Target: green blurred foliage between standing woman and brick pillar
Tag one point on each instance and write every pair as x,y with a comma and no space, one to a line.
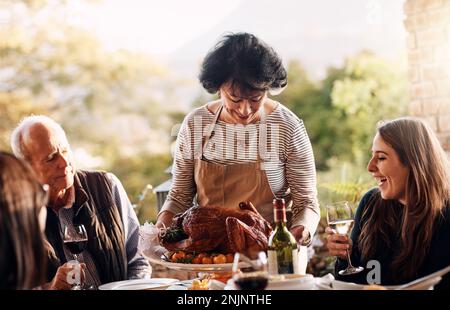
341,112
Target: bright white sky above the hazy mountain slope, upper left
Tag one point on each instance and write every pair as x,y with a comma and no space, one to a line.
149,26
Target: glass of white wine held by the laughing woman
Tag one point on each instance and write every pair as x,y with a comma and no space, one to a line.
340,218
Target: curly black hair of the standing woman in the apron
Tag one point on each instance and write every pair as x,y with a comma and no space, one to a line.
244,60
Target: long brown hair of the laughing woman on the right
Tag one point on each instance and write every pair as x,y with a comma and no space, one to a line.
427,194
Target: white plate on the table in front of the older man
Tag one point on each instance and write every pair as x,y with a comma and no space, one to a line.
139,284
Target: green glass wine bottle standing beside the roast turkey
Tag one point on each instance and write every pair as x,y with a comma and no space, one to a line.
283,251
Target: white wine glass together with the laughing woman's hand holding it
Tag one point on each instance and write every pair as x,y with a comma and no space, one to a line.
340,218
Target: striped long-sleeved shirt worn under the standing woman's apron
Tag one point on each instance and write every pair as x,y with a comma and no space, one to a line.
289,166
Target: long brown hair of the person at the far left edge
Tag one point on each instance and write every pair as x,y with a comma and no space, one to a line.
23,257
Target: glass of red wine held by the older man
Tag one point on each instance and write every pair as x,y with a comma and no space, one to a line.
75,239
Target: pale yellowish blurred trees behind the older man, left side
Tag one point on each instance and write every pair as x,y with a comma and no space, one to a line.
109,103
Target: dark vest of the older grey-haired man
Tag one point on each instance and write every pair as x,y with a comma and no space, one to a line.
94,207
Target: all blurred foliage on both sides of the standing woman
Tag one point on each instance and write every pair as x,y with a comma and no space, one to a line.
119,108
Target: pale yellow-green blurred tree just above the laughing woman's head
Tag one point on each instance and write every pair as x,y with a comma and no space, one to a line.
371,89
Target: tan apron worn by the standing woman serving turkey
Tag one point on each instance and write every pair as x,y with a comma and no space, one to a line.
227,185
